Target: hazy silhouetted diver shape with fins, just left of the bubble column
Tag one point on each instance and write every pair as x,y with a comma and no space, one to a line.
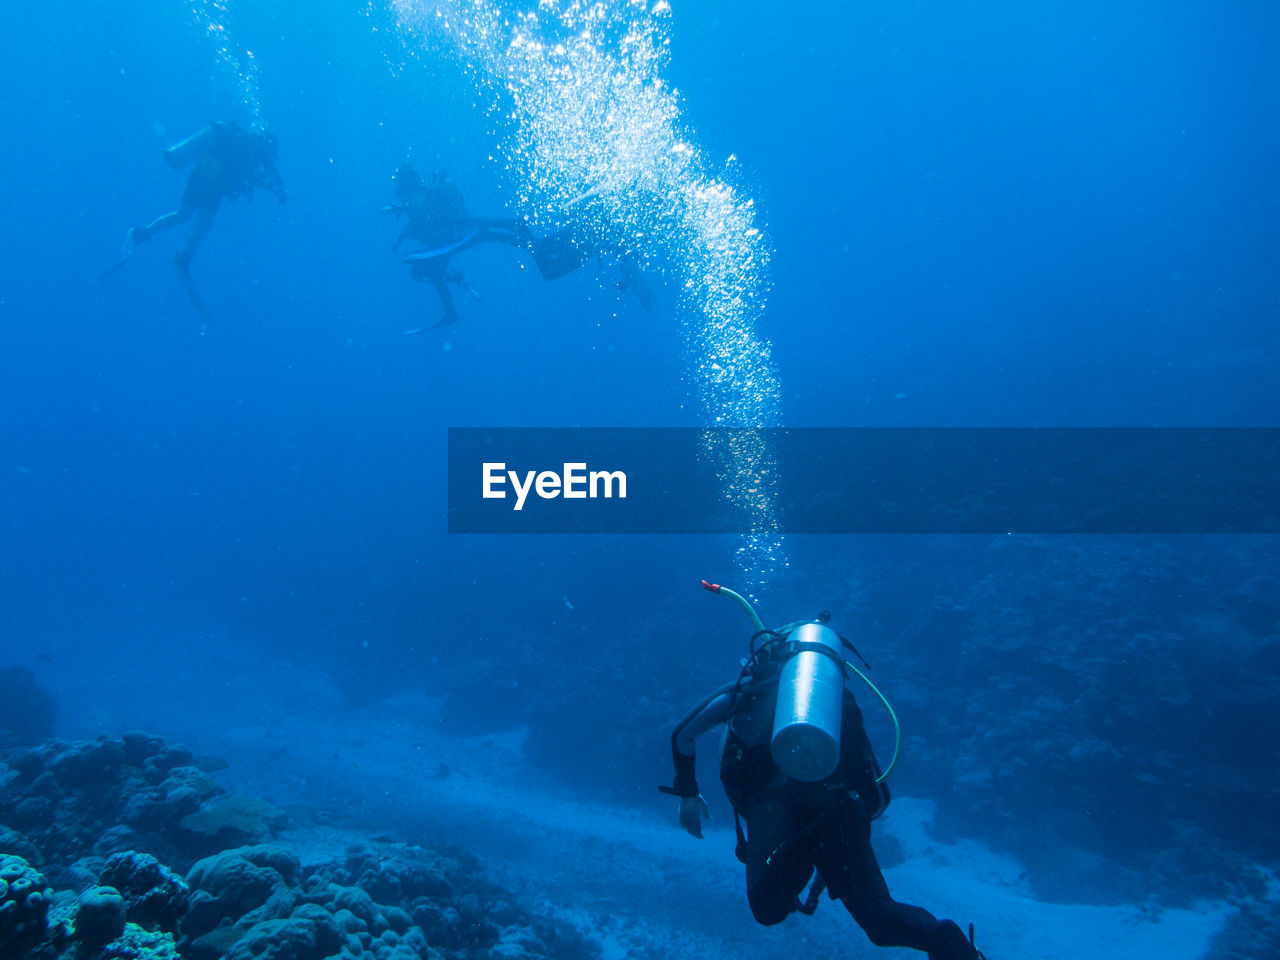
438,220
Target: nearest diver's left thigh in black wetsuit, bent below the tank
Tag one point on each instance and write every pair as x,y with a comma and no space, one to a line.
778,863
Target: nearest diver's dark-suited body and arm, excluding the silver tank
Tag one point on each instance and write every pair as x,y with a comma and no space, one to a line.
796,829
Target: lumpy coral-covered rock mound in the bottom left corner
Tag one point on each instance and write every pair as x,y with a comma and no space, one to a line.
129,849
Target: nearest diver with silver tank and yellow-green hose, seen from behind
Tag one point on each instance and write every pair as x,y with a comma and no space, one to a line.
799,770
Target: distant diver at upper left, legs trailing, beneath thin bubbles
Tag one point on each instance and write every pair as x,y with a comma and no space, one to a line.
228,162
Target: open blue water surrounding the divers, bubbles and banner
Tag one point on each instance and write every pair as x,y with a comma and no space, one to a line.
1060,214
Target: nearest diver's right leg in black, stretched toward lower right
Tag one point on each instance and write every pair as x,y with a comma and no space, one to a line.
848,863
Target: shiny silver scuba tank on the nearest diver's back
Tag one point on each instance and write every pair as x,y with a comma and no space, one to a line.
806,742
